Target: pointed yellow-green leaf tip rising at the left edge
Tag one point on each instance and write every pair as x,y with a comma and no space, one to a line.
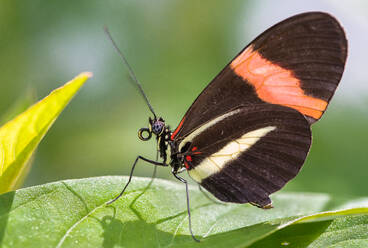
19,137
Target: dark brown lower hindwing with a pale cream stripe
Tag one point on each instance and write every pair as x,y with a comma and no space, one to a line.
248,153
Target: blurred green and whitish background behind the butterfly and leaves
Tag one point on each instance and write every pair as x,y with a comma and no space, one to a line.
175,47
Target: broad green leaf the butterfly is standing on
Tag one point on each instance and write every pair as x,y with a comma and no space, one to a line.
74,213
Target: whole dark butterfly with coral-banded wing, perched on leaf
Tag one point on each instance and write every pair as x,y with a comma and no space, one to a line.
248,133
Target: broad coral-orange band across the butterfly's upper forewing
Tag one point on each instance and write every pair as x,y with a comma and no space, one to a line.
275,84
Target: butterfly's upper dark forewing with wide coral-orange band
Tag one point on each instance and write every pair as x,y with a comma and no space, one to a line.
297,63
